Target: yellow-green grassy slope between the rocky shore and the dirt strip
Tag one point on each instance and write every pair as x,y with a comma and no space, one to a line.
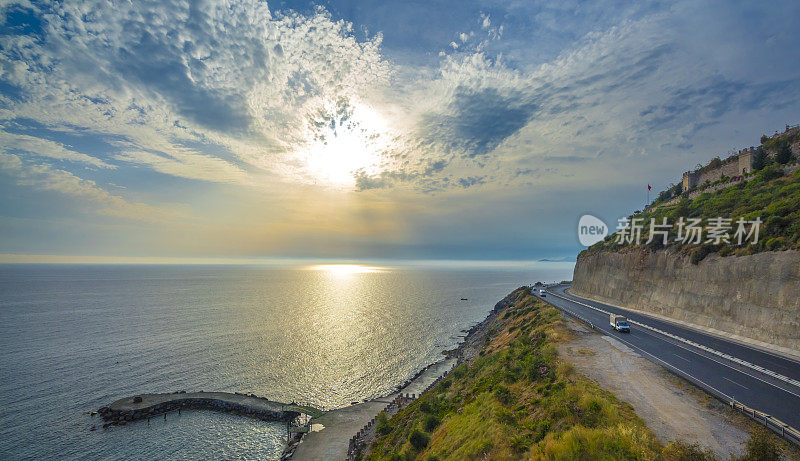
518,400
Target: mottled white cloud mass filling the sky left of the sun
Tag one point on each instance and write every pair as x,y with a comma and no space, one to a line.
161,74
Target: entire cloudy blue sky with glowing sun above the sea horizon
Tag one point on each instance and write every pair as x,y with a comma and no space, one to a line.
347,130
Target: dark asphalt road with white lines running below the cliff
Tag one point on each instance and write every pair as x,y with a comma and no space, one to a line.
754,389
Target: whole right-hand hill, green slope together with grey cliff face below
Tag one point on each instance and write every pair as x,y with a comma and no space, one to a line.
736,275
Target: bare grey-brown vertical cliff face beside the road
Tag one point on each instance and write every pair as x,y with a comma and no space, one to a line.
755,296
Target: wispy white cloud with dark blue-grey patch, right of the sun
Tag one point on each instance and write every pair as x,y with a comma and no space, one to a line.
641,89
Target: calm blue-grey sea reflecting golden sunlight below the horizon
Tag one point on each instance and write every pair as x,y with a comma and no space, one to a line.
77,337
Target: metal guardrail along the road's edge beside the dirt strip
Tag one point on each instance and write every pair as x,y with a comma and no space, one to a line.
787,432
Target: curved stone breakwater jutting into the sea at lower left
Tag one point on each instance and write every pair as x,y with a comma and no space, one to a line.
145,406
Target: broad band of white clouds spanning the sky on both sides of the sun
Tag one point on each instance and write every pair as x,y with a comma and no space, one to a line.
251,87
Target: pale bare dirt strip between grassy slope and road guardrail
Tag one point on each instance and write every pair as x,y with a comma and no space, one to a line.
670,407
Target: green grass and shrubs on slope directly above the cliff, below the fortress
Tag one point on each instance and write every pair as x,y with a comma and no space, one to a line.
770,196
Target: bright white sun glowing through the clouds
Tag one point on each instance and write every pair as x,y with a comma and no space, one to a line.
345,143
